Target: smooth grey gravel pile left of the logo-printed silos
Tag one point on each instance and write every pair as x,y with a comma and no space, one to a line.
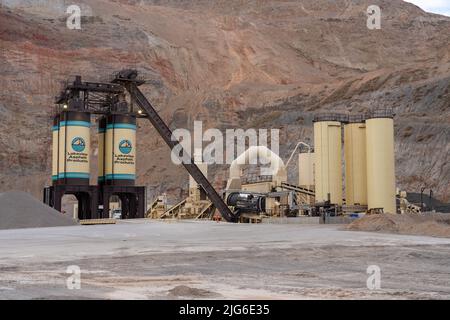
21,210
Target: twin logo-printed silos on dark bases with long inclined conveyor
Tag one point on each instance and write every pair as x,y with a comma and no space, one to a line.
117,148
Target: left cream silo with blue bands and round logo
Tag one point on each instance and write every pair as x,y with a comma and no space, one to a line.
74,148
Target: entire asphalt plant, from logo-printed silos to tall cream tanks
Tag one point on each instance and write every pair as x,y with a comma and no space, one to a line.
351,152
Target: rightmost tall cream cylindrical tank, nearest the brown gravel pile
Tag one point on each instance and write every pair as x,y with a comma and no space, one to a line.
380,161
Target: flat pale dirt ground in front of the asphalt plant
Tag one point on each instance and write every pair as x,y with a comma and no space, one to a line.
160,260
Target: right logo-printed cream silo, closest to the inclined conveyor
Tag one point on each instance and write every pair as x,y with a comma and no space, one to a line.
120,150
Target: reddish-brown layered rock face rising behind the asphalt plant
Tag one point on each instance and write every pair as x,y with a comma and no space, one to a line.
231,64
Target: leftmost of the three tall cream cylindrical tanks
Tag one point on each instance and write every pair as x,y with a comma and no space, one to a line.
328,158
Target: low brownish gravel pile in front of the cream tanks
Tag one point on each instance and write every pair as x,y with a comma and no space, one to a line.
436,225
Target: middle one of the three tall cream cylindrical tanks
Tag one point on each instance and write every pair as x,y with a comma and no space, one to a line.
355,161
